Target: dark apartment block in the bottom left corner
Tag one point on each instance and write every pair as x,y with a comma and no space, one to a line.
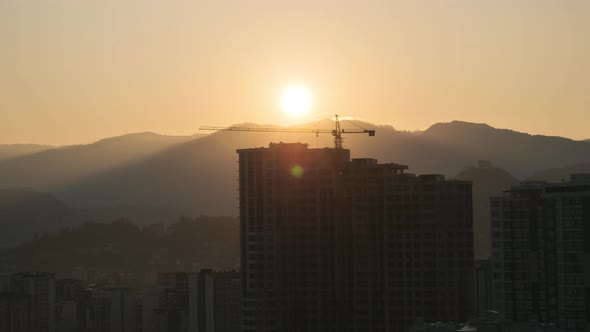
40,289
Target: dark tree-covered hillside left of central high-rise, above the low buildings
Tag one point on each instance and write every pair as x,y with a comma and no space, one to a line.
186,245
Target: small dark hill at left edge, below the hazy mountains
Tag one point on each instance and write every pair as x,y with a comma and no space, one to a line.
24,212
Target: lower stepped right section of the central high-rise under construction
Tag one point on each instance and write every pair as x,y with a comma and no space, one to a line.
412,246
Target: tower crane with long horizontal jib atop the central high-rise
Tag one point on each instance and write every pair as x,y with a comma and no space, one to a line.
336,132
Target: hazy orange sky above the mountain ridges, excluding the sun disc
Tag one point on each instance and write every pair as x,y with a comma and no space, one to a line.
79,70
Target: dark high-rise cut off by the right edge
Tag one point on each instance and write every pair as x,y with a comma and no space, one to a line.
541,251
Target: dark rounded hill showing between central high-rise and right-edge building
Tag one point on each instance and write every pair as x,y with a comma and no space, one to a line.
487,181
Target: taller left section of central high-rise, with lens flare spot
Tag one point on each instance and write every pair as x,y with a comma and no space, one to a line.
289,231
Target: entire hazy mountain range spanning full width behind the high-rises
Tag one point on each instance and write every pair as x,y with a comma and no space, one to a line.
197,174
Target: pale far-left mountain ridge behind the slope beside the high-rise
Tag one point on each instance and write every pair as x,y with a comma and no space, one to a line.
55,167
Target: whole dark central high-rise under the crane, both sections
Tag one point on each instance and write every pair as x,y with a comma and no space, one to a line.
333,244
